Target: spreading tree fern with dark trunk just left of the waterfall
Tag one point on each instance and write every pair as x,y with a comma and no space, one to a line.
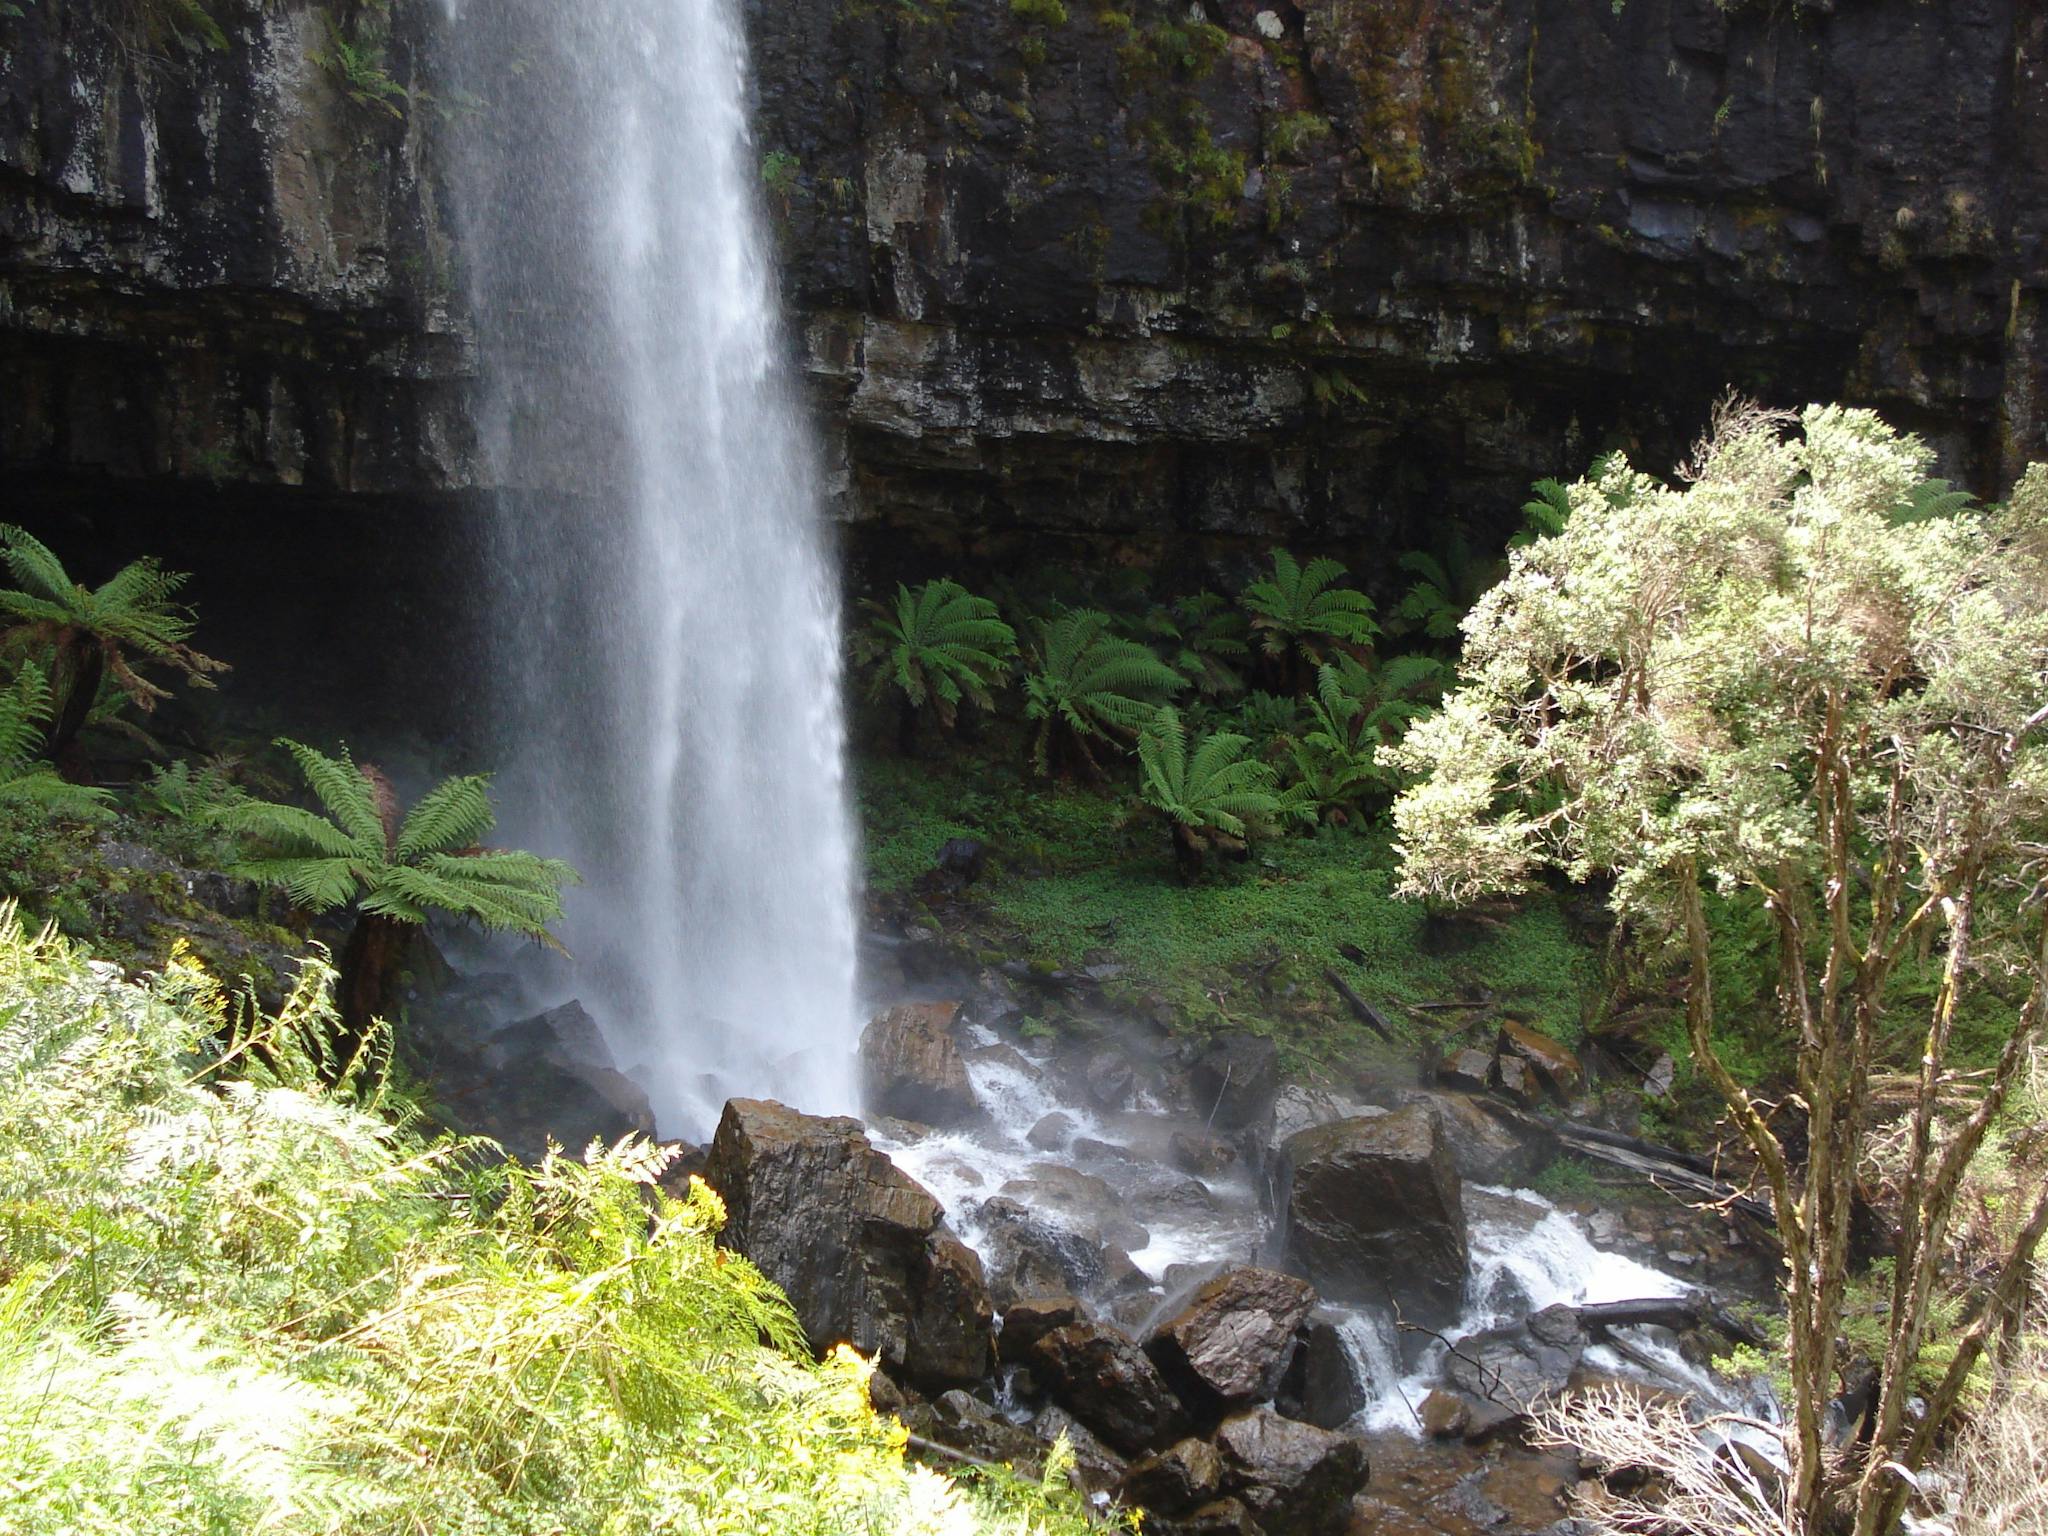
394,869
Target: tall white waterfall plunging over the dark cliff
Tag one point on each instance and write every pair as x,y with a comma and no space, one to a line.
663,605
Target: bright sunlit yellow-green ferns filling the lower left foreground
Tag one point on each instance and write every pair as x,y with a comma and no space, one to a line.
241,1291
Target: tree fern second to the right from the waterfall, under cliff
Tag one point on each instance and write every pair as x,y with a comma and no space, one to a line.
1084,685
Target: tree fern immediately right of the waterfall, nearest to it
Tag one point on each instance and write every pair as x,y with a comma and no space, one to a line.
937,646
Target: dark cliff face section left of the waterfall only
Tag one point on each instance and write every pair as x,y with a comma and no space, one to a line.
216,267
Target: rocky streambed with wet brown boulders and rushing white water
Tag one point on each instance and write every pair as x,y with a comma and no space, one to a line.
1246,1304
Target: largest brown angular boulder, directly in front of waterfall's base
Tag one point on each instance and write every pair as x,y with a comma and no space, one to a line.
855,1244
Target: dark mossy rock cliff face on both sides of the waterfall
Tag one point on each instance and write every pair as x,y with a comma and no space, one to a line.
1132,275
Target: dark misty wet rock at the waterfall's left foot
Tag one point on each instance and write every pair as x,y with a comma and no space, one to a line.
552,1078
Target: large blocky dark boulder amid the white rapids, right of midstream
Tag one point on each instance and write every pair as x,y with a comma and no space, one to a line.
1375,1213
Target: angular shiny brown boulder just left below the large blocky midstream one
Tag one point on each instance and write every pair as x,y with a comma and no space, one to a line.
1232,1342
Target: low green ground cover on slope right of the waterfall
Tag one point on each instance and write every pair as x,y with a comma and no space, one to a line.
1078,880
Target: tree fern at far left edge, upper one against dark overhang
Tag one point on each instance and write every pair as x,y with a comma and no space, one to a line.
93,638
